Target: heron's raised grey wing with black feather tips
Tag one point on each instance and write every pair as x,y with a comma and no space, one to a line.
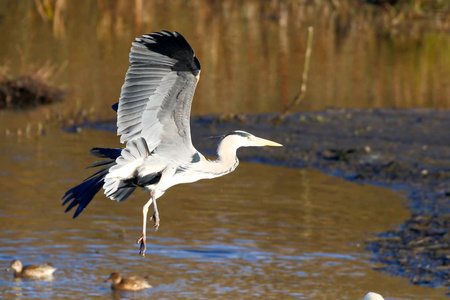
155,101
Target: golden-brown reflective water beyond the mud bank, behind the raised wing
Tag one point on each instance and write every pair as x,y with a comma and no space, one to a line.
252,52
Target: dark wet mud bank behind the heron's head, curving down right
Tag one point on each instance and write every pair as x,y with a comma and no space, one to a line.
401,148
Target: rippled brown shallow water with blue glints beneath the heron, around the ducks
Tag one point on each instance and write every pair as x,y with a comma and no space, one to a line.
262,232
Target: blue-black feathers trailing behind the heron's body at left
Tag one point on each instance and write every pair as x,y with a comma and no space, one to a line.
83,193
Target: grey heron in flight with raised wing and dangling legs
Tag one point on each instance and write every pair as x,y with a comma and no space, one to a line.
153,116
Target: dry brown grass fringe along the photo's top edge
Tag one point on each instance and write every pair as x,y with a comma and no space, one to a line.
426,14
